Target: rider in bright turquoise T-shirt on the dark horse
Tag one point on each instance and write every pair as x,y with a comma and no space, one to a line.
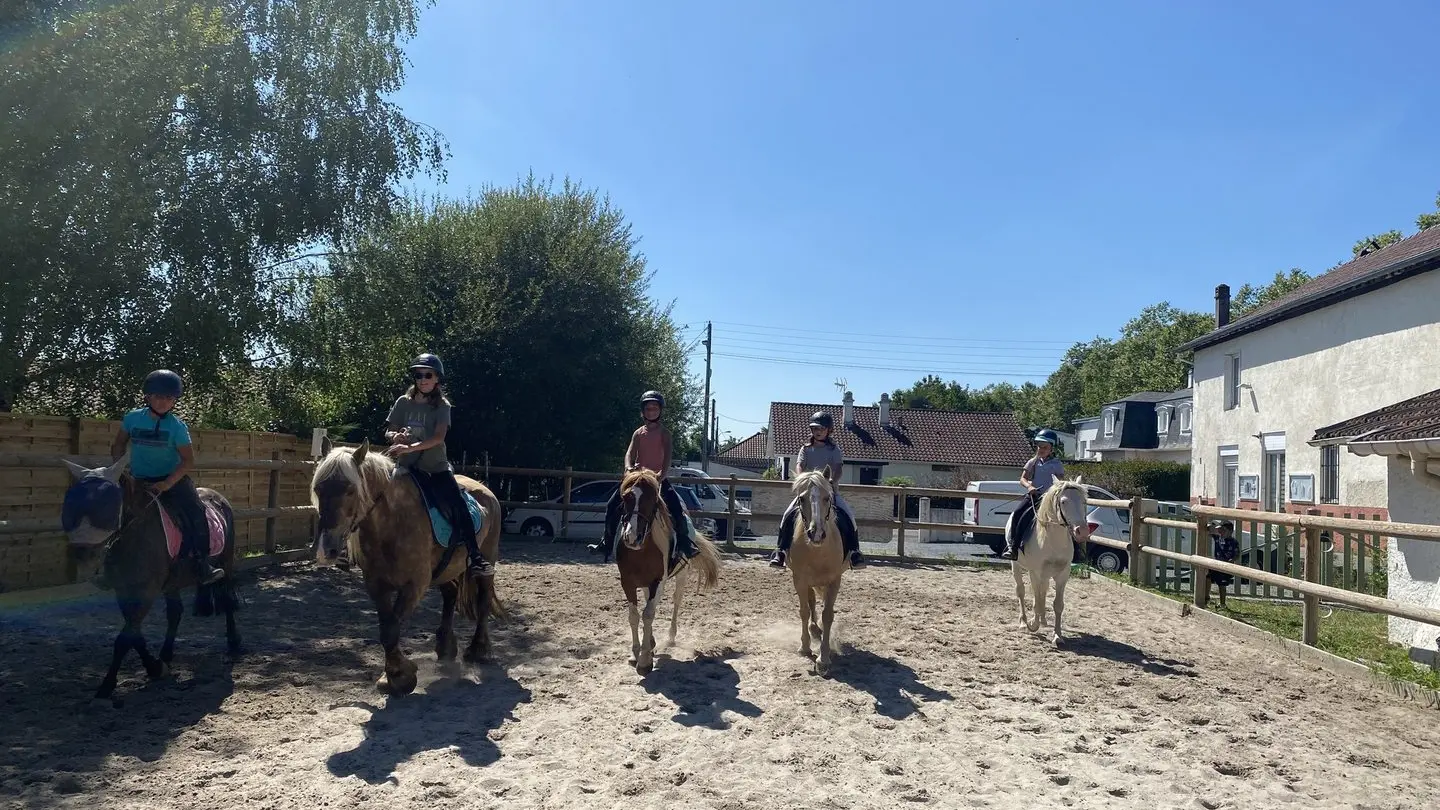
162,459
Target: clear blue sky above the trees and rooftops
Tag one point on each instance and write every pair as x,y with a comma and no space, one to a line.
950,187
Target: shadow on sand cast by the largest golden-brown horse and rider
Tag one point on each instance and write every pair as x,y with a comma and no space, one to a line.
451,713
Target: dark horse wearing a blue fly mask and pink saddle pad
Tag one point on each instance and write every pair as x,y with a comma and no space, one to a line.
114,525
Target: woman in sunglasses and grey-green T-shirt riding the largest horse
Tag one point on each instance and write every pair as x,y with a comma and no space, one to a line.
417,430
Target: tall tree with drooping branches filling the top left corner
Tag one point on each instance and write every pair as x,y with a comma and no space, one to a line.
165,159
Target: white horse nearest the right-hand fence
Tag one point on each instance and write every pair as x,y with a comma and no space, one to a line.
1046,551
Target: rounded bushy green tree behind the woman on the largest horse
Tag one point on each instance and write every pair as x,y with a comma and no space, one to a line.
536,301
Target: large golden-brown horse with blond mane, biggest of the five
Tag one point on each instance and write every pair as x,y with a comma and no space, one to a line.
379,514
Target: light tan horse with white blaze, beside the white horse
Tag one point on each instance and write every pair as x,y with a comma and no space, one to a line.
817,561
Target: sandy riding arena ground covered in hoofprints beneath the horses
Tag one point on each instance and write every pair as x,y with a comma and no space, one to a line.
938,698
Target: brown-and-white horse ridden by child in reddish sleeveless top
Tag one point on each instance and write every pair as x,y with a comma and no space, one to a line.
643,556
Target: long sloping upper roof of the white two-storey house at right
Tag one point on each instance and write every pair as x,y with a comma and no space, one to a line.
1392,263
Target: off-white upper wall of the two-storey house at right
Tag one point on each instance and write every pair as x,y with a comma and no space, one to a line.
1382,345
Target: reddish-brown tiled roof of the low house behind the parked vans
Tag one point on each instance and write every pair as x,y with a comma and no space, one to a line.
918,436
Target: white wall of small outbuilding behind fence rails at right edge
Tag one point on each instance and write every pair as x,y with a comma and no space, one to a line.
1415,566
